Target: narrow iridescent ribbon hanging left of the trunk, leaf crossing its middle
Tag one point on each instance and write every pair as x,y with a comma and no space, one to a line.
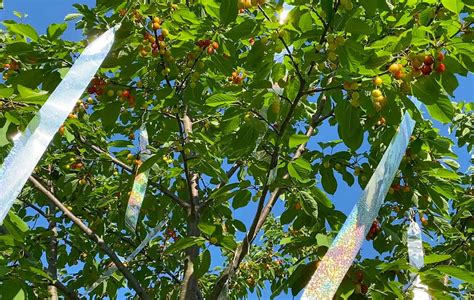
139,184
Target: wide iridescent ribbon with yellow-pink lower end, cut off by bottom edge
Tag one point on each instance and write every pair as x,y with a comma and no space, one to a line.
346,245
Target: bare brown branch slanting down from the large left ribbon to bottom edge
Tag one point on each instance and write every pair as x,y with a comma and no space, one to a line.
93,237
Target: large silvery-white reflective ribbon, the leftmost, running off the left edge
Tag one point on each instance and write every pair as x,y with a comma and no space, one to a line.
30,147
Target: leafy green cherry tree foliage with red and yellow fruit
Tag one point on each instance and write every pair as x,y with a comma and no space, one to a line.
230,98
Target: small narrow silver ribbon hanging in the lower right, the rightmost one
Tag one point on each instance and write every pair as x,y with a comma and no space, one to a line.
415,255
